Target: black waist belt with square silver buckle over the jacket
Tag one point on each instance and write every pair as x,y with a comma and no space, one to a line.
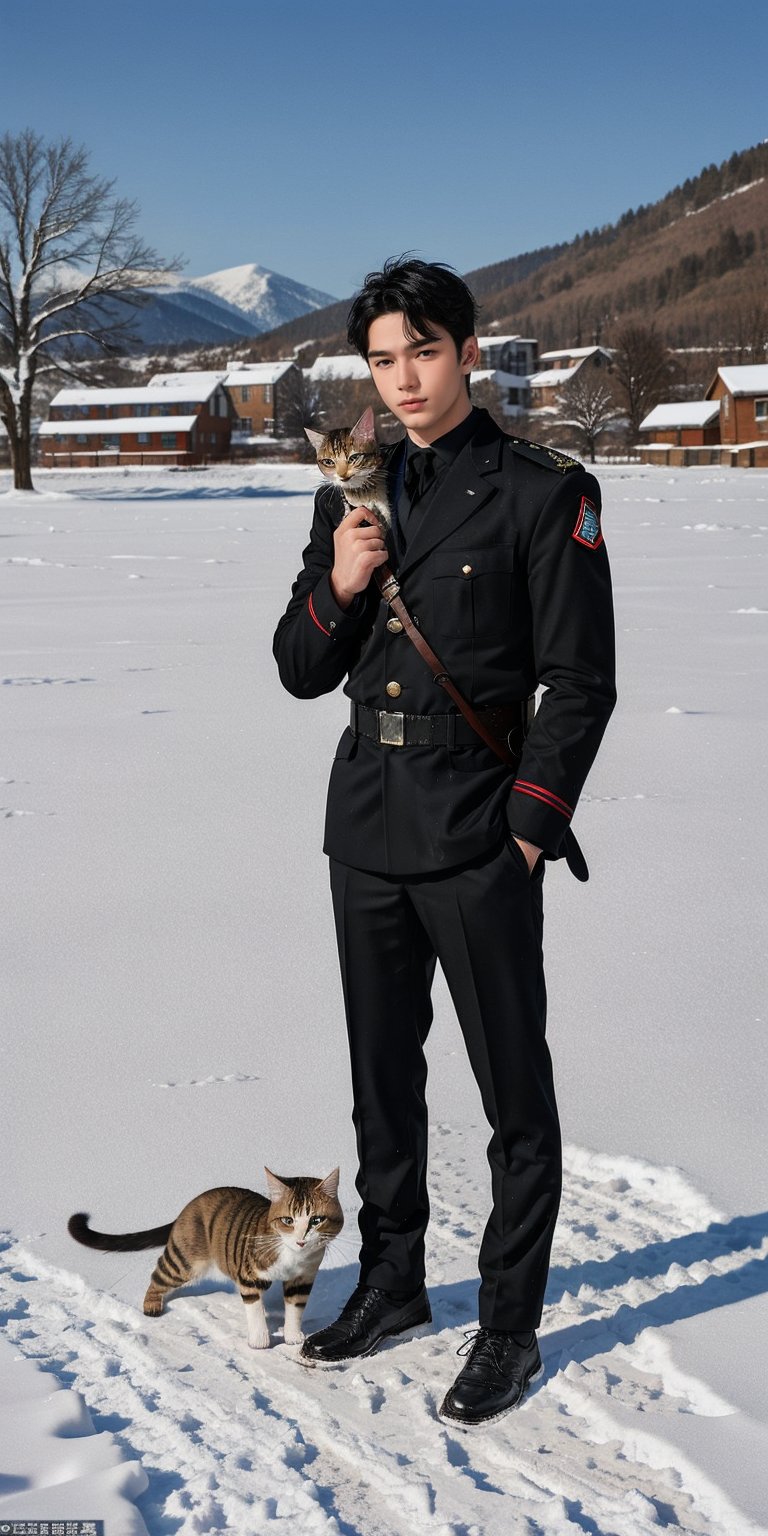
506,723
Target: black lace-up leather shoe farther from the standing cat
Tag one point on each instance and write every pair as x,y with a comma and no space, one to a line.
494,1382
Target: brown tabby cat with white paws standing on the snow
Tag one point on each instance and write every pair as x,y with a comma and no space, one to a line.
248,1237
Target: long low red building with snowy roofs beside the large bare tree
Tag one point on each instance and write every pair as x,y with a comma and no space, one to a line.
182,423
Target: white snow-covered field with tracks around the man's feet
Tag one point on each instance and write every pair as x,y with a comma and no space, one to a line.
173,1021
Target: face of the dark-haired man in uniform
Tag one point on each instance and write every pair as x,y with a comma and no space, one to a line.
422,382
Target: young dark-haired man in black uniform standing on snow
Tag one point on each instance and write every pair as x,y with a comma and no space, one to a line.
437,847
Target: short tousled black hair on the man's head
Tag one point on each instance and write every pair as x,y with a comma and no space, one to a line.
426,293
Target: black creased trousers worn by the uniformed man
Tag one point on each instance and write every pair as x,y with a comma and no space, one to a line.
485,925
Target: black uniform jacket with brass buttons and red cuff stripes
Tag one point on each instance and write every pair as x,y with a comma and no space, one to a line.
509,580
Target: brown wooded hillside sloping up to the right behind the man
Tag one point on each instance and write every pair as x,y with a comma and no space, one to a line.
695,263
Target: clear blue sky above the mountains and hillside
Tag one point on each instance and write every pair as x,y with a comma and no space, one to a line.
320,139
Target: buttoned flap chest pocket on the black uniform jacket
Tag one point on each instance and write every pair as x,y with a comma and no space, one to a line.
472,592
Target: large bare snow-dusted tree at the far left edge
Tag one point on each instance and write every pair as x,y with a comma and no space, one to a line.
71,273
